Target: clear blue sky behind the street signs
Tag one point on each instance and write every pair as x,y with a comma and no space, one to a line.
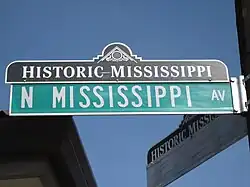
162,29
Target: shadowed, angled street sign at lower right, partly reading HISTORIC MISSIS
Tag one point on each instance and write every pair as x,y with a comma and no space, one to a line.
193,143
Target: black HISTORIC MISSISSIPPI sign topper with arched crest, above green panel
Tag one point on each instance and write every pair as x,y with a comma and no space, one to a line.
117,63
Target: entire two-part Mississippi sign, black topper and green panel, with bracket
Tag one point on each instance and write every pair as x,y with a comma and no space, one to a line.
118,82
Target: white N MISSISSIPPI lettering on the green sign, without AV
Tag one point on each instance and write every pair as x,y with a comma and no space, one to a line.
102,96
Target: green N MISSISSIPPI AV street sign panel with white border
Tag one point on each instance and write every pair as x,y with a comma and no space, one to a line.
121,98
